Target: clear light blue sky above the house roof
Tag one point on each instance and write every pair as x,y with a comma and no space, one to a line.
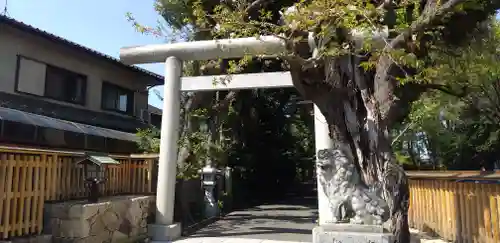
98,24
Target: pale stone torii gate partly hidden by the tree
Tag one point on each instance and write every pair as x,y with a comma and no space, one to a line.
164,228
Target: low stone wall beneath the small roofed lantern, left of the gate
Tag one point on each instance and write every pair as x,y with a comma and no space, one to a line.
113,219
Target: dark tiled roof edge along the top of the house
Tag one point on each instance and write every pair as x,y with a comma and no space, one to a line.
35,31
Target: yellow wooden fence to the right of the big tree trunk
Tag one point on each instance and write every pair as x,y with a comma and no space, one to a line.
462,206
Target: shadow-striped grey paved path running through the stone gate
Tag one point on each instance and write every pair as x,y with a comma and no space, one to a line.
290,221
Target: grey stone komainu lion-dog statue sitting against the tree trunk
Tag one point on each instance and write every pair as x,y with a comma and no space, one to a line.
351,201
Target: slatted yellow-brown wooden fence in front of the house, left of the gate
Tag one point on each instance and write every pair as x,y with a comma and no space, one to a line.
30,177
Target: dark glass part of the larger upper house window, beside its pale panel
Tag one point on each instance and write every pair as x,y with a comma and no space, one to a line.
64,85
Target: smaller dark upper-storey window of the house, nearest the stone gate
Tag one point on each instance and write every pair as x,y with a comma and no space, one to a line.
116,98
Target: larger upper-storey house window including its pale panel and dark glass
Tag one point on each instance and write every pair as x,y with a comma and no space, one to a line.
40,79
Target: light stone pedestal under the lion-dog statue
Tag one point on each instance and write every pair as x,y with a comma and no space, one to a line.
351,233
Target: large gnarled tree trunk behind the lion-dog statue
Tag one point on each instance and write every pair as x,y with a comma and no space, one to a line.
346,97
